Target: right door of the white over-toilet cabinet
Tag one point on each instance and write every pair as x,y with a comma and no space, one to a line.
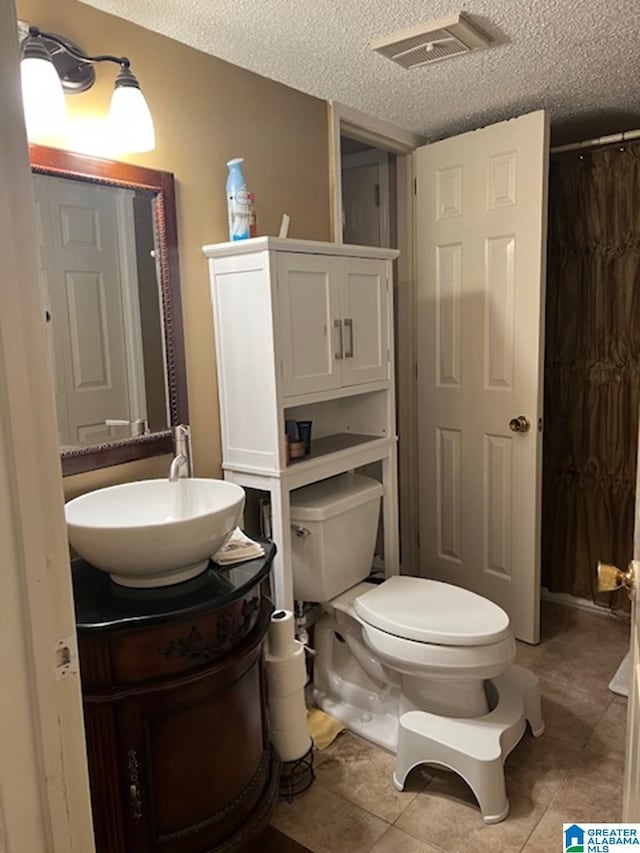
363,301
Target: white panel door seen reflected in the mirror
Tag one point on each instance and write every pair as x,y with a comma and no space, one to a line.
83,277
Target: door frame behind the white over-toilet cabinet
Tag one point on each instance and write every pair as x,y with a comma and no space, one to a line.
345,121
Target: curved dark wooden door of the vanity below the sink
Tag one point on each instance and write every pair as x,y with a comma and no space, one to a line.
195,761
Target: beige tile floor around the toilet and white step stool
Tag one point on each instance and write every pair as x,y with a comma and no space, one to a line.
572,773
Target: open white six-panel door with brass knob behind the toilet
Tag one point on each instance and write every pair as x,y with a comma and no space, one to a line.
481,233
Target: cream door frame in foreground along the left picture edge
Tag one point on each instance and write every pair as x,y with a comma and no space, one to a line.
44,790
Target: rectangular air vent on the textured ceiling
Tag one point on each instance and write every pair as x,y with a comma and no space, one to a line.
431,42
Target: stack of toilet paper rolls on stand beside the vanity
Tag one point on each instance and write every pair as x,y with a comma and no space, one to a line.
286,677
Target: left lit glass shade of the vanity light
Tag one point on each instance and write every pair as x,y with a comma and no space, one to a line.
45,110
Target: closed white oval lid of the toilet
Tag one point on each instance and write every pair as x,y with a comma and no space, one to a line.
432,612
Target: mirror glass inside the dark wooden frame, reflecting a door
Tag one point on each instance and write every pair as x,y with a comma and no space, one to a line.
100,288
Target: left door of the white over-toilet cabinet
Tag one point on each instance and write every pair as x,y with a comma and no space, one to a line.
310,324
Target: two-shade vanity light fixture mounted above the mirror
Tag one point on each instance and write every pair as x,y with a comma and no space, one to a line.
52,65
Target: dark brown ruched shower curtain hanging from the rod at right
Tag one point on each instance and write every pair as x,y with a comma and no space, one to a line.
592,365
